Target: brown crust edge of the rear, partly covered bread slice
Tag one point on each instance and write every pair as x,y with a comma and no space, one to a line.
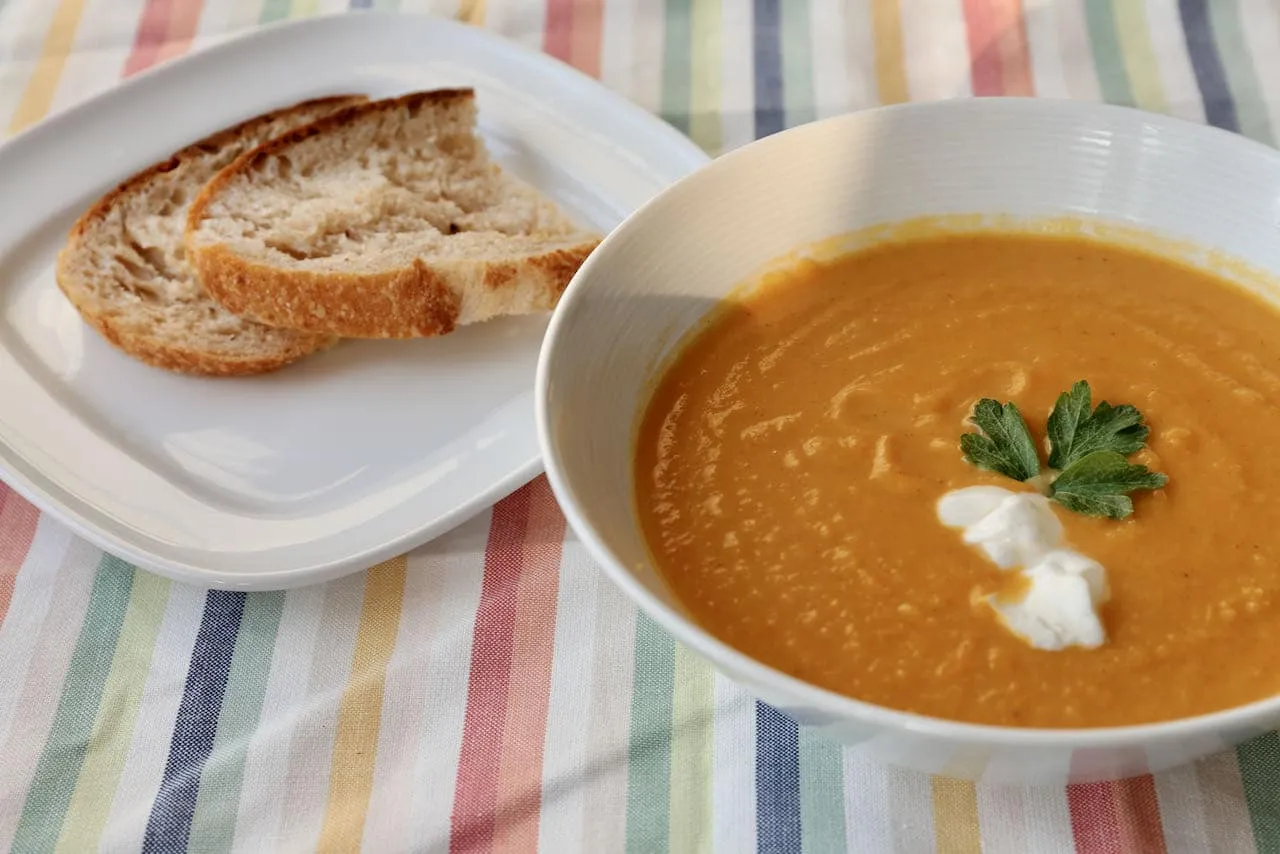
153,350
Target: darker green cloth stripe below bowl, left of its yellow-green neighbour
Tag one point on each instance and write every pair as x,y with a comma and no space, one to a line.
650,751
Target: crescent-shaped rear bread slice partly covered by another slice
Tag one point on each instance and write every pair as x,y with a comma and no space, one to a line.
126,272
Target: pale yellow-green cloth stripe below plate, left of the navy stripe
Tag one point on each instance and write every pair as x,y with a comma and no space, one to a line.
117,715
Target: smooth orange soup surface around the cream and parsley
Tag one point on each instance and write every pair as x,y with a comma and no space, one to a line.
790,463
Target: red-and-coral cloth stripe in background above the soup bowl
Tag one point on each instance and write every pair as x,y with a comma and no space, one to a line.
999,58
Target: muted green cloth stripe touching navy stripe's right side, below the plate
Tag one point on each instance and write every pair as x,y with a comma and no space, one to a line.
213,826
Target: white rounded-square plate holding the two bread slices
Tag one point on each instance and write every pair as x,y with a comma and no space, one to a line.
348,458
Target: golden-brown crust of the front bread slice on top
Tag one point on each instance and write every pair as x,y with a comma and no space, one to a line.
419,300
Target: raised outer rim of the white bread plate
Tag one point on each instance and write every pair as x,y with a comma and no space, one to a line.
44,494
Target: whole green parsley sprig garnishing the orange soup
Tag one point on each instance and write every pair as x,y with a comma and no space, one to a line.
1089,471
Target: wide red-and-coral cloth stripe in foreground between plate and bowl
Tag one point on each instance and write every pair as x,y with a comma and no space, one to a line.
499,793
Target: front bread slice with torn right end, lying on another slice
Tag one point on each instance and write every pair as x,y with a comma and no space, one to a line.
383,221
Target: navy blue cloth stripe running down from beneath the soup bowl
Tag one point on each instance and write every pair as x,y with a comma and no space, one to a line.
778,782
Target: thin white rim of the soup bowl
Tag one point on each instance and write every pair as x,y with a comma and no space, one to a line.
720,655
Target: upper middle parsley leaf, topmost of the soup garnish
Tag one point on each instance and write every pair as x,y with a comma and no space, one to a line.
1076,432
